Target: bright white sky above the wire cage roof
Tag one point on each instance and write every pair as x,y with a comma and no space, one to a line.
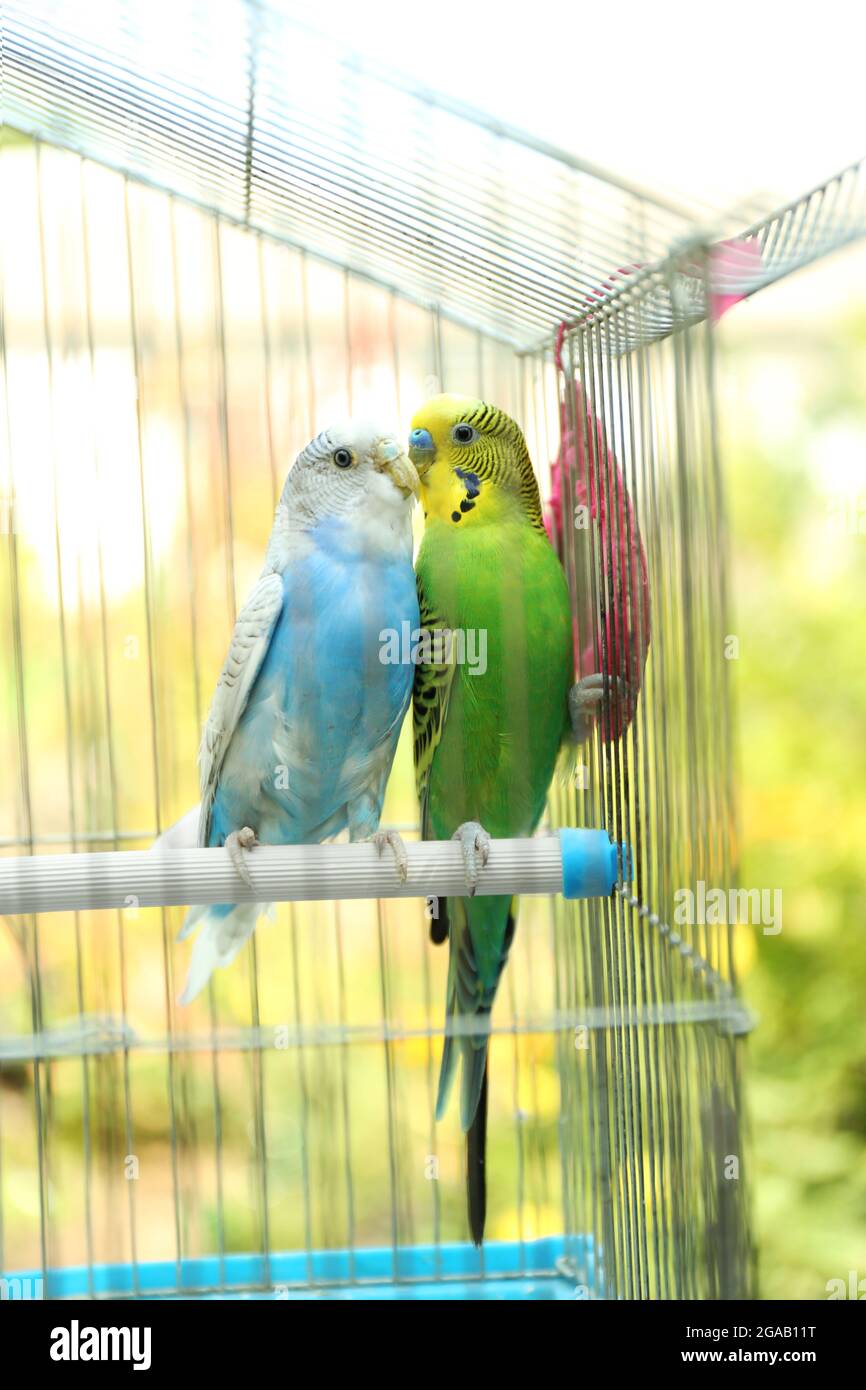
715,102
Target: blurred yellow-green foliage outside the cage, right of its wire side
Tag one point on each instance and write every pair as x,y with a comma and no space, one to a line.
794,418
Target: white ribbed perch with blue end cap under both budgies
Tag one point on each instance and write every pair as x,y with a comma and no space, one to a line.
580,864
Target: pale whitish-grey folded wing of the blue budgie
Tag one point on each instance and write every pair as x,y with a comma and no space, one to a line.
251,641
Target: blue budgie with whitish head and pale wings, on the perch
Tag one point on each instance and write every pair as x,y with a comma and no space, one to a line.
305,721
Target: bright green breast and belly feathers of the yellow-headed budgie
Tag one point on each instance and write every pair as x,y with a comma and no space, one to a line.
491,707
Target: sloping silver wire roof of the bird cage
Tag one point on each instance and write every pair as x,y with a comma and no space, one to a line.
277,129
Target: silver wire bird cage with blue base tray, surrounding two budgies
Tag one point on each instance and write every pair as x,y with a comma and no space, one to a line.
202,265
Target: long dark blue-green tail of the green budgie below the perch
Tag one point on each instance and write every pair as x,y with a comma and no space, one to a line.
482,932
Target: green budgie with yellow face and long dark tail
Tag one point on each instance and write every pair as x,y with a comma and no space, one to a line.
489,729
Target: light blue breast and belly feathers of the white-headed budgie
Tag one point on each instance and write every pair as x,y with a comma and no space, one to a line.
313,749
